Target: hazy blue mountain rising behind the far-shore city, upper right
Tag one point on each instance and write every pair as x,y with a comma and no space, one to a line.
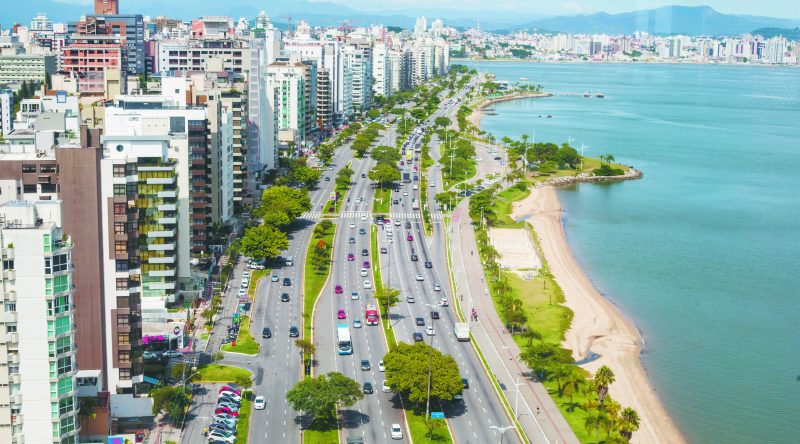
697,20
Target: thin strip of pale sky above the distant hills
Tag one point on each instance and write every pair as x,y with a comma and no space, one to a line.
770,8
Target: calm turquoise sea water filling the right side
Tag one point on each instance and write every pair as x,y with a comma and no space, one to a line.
703,253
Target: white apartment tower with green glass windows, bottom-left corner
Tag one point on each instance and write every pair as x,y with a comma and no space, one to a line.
38,391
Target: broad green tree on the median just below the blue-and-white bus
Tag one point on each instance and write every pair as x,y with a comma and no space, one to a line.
319,396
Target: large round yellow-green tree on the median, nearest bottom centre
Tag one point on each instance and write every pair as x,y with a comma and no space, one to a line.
407,369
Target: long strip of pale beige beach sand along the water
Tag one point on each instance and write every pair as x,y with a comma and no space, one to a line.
598,324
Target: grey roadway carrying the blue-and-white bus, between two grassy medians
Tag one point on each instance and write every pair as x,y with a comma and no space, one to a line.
371,417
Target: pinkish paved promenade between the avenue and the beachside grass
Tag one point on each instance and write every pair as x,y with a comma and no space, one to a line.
500,351
